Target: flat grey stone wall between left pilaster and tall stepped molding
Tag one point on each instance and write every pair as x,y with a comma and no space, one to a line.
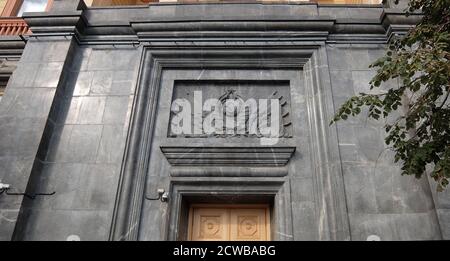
89,120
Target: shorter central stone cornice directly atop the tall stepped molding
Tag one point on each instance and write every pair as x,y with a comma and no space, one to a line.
313,29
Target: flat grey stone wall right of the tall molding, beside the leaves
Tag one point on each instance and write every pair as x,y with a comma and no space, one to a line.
379,200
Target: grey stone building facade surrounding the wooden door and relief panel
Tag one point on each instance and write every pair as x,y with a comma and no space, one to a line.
86,113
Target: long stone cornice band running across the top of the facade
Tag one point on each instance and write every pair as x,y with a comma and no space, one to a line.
94,26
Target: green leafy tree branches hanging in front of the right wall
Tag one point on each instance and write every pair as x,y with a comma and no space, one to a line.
419,61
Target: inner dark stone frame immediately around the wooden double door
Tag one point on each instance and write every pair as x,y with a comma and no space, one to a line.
274,192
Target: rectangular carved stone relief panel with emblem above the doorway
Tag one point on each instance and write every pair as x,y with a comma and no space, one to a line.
230,108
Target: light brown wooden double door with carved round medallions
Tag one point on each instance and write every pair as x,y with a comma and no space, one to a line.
229,222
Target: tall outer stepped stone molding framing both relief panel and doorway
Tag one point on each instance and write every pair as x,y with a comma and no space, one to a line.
311,59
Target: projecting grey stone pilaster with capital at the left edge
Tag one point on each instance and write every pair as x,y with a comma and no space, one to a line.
26,109
